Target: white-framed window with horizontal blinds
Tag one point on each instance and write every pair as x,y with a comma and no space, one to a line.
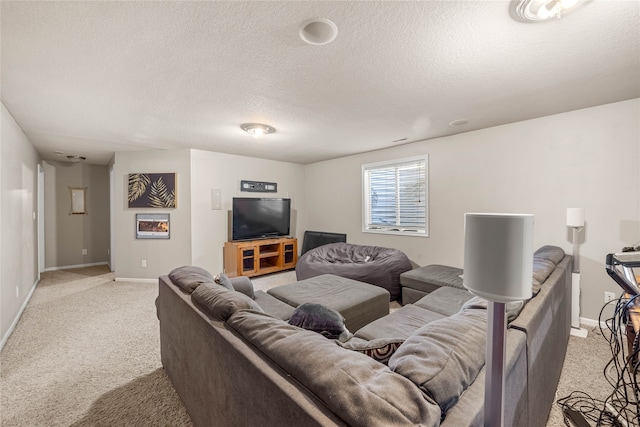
395,197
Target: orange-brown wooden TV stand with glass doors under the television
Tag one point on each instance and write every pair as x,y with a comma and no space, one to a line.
256,257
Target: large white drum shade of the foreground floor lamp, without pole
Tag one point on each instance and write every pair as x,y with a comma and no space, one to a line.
498,255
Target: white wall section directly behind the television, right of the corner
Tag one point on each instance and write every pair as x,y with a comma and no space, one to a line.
209,228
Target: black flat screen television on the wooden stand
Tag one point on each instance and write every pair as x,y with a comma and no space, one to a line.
260,218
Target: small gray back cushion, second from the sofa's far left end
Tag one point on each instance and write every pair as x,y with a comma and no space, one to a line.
220,303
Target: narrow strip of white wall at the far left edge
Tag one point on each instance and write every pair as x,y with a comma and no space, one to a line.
19,229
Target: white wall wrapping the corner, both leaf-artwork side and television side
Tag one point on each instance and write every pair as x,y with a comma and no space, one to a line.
198,233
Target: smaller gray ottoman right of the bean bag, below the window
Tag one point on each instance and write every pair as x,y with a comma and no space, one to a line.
421,281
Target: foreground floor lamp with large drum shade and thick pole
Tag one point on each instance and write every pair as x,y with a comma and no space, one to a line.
498,266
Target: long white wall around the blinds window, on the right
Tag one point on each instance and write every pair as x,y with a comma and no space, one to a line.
587,158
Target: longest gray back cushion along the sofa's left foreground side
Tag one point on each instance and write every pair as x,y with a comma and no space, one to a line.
345,381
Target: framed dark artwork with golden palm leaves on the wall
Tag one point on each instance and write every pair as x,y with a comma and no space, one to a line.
152,190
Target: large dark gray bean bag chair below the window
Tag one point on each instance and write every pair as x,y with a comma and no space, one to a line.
370,264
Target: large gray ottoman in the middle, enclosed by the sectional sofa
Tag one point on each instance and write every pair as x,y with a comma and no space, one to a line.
359,303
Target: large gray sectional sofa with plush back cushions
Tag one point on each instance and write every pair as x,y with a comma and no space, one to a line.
233,363
